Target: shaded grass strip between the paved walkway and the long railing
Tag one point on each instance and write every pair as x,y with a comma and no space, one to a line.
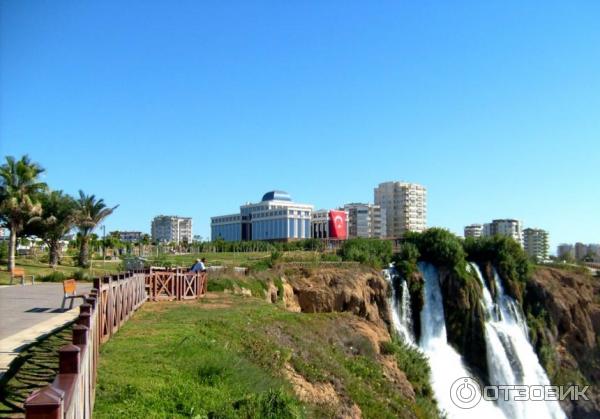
34,368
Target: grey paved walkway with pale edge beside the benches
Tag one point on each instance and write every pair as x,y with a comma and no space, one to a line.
30,311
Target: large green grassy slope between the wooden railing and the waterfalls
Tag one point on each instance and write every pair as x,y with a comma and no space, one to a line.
224,357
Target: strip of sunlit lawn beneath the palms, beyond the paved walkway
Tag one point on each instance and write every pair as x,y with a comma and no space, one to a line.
41,270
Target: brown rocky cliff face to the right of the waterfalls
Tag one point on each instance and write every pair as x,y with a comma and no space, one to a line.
563,311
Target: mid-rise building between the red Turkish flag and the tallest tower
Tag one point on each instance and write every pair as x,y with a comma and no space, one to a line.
366,220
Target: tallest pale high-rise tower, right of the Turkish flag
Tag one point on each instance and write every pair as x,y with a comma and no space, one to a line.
405,206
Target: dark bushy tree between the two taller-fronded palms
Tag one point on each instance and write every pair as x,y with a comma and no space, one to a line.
57,219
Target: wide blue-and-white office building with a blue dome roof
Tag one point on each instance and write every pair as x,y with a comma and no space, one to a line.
275,217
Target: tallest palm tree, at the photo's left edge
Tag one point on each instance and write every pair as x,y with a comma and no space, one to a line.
19,187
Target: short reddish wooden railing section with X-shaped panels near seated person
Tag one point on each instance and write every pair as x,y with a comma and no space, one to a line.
175,284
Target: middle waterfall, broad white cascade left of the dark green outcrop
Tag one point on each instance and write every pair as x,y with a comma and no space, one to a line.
446,364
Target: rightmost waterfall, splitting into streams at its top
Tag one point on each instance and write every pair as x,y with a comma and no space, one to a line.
511,359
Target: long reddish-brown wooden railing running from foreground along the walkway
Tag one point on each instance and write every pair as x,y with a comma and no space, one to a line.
110,304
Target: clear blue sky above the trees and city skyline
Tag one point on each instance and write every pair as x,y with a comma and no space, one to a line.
193,107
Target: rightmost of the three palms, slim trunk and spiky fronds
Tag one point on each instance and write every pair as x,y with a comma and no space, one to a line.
90,212
